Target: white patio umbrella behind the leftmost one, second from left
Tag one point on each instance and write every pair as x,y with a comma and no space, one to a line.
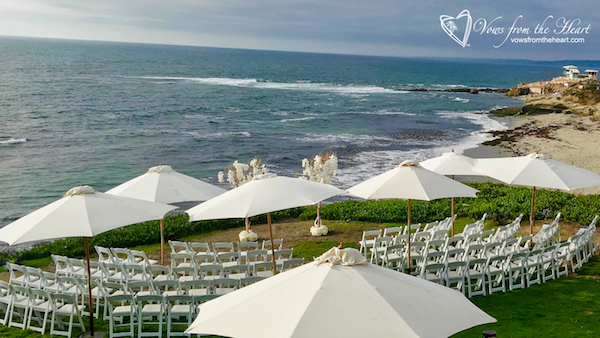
162,184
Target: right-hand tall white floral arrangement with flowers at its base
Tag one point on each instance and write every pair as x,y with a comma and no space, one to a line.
321,169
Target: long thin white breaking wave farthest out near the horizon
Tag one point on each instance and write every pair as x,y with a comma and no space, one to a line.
298,85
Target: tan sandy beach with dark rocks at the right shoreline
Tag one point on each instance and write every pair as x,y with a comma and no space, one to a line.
568,138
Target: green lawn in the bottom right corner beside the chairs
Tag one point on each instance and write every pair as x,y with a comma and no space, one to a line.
564,307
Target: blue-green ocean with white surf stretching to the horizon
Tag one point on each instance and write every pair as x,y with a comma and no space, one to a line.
101,113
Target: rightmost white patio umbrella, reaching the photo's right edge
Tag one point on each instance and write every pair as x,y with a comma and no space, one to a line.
537,171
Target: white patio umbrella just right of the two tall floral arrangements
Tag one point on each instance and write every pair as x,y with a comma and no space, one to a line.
410,181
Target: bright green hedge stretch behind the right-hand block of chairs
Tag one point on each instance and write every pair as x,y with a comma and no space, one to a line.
502,203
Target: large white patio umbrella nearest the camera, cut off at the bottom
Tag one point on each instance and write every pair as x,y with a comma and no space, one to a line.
349,299
